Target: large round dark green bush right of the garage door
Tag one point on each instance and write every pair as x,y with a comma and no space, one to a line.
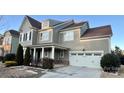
110,63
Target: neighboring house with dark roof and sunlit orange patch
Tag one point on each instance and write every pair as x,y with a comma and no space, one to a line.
10,41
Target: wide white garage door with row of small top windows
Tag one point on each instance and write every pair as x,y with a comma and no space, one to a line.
86,59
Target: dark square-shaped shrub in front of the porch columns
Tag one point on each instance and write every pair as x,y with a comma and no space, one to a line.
47,63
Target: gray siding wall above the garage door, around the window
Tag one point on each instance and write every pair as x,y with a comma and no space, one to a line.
88,45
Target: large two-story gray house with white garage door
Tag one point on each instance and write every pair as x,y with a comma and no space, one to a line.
74,42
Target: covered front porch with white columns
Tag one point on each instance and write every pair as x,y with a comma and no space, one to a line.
57,53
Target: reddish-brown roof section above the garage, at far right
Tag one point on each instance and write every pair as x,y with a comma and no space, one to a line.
98,31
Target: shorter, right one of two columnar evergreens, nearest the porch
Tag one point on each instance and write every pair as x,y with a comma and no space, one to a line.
27,58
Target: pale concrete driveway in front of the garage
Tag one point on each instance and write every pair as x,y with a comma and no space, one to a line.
73,72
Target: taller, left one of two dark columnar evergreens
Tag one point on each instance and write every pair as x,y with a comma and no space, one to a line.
19,55
